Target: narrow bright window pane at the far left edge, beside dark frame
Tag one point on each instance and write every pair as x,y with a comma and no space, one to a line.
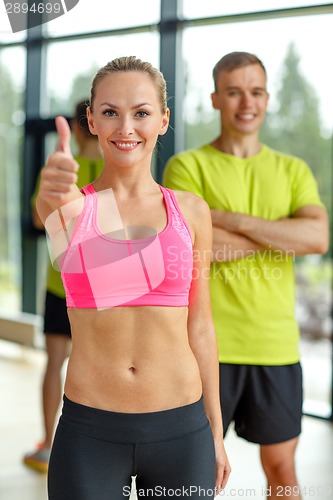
11,140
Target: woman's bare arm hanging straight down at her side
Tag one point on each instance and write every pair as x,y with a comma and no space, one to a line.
201,332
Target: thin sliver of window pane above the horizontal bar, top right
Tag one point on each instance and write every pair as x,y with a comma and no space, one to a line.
197,8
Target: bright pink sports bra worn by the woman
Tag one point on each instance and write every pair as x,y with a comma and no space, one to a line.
101,272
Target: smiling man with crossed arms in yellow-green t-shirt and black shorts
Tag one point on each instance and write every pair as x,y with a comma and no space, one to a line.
265,211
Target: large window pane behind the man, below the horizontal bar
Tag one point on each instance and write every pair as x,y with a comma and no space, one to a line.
304,130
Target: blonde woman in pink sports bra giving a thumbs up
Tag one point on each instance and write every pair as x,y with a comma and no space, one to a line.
141,392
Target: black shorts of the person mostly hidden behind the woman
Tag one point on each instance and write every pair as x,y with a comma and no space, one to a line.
55,316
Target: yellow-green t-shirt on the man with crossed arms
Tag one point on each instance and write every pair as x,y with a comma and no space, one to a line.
253,298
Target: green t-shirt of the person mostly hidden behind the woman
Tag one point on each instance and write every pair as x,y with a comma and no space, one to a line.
89,170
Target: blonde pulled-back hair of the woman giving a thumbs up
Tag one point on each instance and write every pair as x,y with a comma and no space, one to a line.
131,63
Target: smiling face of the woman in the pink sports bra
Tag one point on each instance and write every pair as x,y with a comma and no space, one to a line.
127,117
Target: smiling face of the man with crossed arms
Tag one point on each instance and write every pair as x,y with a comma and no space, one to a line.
241,97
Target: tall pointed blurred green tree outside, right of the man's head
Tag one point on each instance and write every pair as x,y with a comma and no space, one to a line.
295,127
